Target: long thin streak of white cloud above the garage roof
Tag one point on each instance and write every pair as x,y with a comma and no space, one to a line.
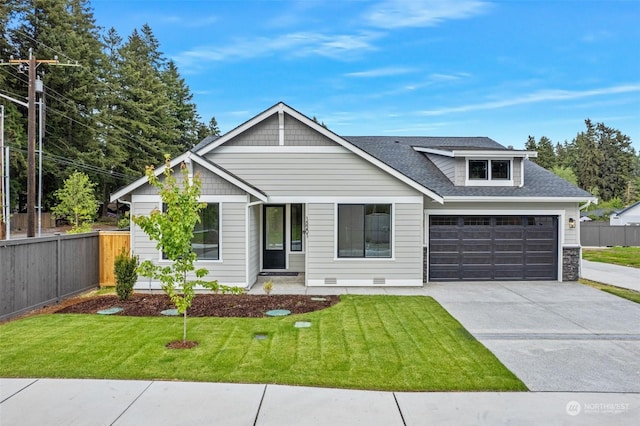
540,96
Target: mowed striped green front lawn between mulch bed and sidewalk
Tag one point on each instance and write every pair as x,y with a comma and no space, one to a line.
365,342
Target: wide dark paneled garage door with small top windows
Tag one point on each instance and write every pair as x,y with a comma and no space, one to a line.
493,248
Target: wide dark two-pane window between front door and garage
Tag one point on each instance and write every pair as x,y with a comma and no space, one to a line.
364,230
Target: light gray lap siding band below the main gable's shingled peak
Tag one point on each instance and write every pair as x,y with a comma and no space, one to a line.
311,174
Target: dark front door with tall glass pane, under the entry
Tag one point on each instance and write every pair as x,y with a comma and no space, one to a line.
274,247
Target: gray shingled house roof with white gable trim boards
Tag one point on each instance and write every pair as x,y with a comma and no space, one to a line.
399,156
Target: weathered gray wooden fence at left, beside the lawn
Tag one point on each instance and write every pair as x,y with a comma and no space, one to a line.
35,272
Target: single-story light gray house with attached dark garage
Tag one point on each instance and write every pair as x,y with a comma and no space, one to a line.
285,194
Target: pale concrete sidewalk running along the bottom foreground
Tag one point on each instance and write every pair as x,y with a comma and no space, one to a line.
113,402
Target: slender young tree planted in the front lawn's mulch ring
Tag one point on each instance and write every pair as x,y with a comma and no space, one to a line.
172,229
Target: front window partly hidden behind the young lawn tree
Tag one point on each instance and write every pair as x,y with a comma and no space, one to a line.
206,237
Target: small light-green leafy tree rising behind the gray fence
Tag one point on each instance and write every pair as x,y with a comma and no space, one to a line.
77,201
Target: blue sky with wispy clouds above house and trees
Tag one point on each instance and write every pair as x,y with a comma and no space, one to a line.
503,69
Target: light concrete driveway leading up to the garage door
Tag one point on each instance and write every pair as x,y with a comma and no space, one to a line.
553,336
